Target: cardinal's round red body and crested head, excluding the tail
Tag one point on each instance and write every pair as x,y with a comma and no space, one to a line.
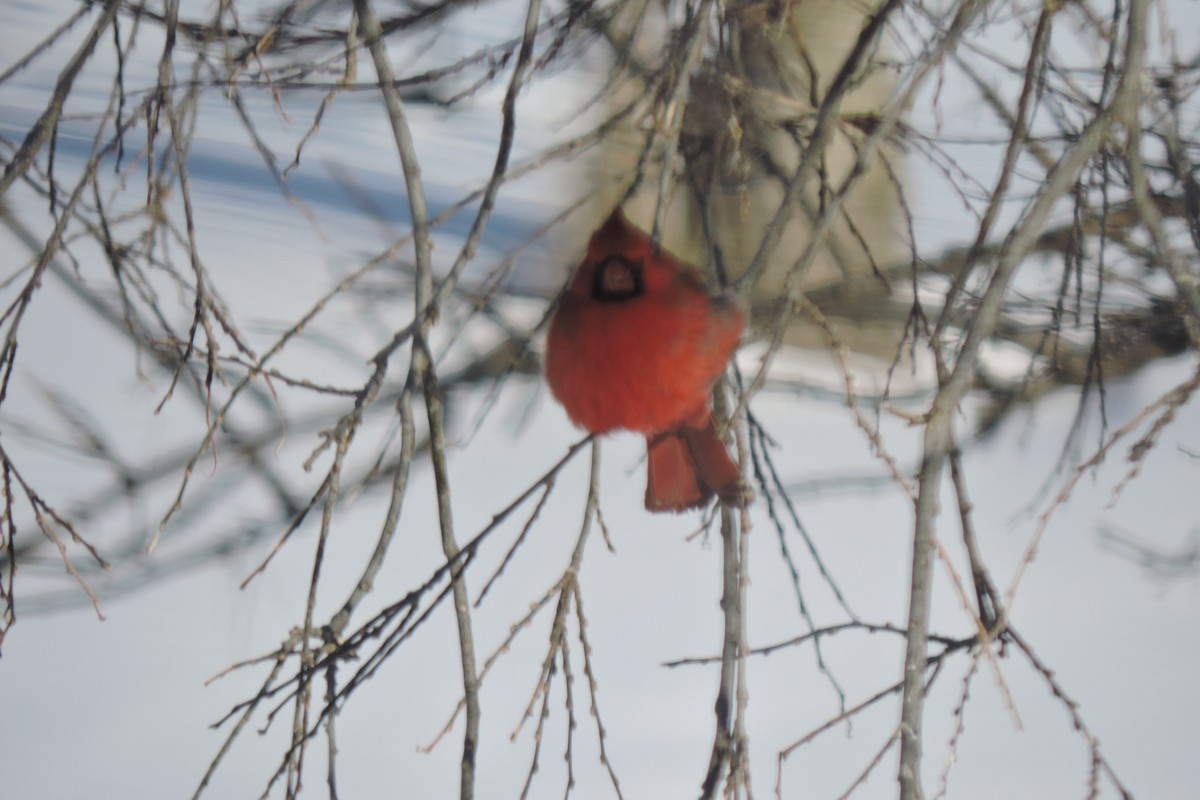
638,341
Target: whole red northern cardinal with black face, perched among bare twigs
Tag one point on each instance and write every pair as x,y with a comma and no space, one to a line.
637,345
